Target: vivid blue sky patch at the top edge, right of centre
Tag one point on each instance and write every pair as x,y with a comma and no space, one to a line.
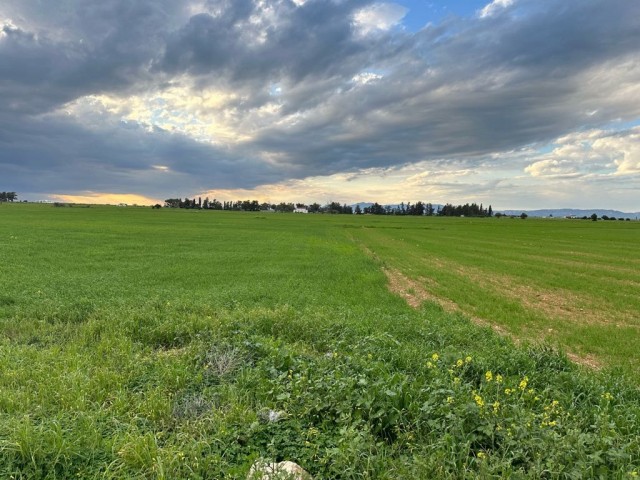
422,12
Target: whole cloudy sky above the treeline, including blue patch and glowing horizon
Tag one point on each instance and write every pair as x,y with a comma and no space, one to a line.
521,104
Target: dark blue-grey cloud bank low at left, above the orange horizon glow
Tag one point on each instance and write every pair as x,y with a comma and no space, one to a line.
61,156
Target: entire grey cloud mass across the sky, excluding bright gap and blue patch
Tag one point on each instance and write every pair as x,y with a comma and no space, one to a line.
467,87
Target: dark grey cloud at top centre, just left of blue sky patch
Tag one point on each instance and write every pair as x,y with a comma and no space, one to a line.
316,39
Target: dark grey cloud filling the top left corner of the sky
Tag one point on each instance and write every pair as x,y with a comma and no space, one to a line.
69,49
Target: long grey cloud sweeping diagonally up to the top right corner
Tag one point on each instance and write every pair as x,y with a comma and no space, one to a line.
498,83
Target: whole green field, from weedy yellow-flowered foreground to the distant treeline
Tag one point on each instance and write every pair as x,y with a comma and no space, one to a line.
167,344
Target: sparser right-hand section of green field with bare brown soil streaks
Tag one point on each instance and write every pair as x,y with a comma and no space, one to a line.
573,283
